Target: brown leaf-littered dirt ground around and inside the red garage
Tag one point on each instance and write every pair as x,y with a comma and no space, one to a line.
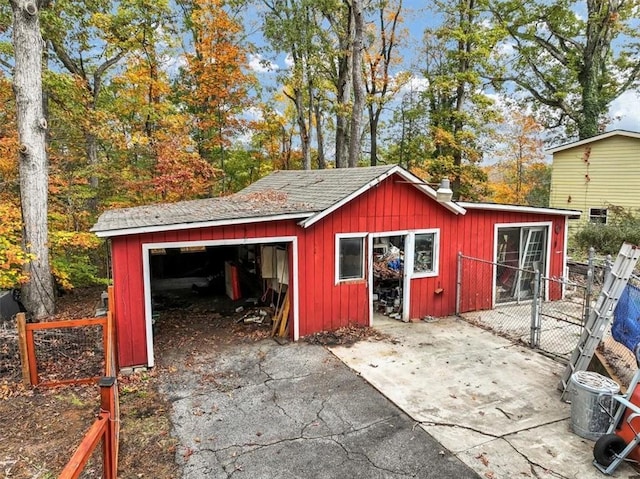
40,428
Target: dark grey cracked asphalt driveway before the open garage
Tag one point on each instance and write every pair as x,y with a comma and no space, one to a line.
262,410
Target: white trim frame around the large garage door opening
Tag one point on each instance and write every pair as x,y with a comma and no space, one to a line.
146,268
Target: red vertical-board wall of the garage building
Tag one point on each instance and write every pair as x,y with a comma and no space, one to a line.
390,206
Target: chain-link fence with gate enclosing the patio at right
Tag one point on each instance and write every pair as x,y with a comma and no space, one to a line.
514,303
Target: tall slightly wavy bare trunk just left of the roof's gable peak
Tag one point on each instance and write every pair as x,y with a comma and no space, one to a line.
359,93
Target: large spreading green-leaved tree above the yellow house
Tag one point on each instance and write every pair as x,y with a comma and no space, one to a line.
573,58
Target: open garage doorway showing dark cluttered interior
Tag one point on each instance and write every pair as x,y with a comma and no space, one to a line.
232,291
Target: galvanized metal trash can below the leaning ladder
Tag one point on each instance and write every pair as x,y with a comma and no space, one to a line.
591,403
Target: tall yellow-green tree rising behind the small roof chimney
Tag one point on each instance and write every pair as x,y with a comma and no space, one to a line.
457,57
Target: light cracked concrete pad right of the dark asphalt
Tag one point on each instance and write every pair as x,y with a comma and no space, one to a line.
494,404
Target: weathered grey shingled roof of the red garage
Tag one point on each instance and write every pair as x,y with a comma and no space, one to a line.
308,195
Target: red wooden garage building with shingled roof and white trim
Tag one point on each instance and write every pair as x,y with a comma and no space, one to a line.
342,242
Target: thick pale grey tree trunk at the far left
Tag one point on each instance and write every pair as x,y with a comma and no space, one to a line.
34,168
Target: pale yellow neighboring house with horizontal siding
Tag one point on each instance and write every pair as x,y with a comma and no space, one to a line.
593,174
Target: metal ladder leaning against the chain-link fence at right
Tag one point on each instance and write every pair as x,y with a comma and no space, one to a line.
601,314
